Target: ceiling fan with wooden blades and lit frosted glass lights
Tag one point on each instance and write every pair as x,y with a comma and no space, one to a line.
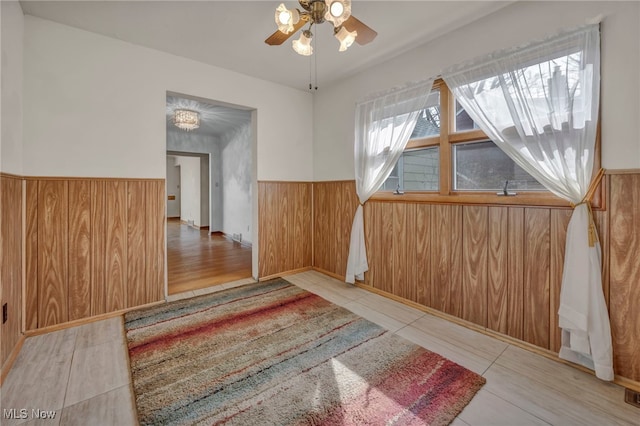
346,27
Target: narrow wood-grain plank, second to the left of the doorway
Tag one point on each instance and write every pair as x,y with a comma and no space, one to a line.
136,239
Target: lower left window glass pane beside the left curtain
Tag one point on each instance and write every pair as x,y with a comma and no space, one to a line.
416,170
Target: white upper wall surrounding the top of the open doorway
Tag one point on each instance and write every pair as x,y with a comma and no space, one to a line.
96,106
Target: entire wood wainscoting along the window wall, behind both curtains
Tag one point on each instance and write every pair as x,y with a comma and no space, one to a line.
499,267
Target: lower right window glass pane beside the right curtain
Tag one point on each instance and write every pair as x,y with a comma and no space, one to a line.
483,166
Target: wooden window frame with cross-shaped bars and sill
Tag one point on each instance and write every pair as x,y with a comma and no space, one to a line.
447,139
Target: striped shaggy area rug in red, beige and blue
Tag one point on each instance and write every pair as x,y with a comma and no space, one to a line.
273,354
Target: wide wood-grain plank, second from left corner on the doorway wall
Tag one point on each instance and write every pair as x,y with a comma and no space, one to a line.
53,252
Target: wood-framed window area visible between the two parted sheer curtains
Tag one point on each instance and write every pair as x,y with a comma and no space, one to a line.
448,158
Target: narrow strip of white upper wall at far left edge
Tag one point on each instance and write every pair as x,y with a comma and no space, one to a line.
11,36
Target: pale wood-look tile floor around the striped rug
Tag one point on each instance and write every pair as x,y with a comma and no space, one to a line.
81,373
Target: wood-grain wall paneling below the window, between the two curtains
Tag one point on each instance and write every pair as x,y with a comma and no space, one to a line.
488,265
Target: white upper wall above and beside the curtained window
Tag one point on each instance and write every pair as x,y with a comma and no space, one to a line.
334,107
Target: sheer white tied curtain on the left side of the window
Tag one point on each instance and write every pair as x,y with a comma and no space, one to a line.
383,126
